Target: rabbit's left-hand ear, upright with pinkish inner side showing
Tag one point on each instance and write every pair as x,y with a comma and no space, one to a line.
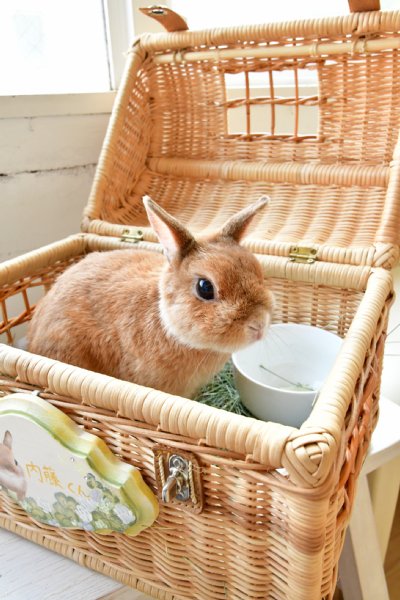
174,237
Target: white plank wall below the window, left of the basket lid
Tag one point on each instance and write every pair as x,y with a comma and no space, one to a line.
49,147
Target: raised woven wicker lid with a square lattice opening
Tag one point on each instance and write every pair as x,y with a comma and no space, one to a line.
334,192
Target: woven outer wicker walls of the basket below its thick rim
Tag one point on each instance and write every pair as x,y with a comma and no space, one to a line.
254,539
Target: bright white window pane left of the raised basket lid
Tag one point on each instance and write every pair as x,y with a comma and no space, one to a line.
52,46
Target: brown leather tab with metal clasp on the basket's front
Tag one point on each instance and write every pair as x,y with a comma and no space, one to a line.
178,476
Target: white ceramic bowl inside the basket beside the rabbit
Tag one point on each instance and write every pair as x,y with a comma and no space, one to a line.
295,359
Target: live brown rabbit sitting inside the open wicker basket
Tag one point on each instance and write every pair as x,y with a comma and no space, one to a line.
168,323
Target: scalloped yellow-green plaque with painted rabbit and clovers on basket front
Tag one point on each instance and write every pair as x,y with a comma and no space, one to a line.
65,477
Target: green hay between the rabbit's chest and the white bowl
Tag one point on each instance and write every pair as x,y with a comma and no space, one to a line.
222,393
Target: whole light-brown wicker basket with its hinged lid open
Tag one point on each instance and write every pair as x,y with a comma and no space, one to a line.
270,503
